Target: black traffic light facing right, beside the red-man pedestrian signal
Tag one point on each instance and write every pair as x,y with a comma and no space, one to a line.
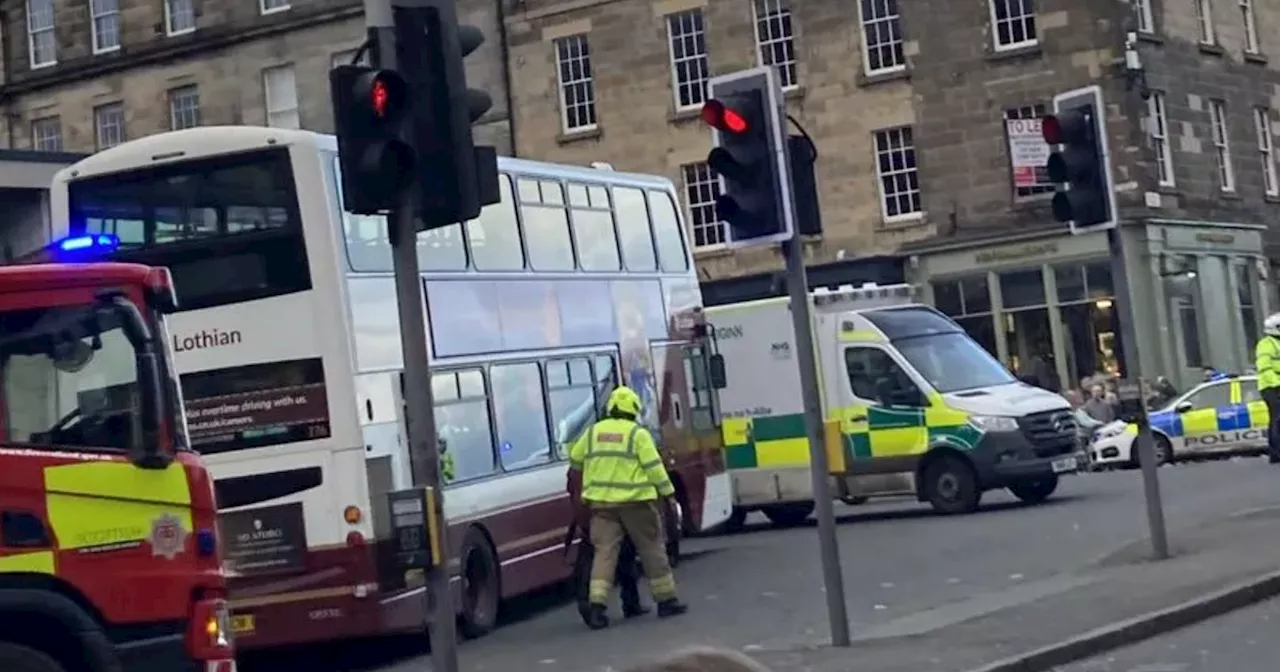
458,179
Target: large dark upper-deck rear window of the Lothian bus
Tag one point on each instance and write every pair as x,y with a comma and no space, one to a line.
227,227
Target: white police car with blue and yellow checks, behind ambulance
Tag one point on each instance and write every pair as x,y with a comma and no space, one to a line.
1215,418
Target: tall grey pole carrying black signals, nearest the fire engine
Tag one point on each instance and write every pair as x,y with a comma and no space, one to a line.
419,406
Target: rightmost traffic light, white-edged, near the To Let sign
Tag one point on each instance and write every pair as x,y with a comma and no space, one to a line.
1080,166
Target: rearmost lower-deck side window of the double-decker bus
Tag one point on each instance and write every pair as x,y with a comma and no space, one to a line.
463,424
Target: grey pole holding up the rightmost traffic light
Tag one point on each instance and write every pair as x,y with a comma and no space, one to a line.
1144,442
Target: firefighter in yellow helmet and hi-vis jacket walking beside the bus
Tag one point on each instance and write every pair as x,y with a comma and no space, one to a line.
623,479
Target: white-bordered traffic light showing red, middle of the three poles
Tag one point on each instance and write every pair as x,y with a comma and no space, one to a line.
744,112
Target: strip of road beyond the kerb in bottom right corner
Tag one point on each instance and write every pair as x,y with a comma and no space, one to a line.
1240,642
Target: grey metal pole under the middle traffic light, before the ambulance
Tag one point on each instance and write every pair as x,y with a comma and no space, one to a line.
798,287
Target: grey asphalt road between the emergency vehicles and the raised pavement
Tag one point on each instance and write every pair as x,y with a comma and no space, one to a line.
762,588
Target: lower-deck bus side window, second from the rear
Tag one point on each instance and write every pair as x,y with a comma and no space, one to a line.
520,415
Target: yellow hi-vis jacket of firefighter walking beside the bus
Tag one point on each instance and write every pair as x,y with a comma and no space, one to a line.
620,464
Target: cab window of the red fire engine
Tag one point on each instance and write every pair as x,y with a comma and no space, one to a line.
68,378
